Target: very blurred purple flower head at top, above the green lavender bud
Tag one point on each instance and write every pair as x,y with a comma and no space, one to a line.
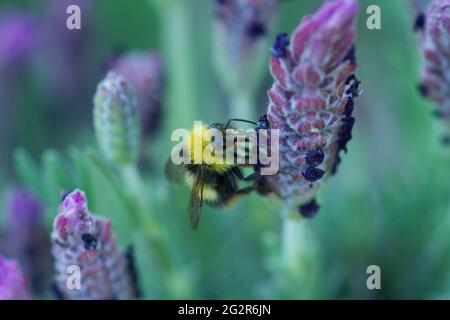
64,59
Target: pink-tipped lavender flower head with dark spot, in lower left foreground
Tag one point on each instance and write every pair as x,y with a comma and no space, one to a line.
84,240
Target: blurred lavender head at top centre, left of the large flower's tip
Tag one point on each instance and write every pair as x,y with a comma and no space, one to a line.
240,30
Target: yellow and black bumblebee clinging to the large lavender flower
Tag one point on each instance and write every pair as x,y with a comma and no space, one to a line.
211,179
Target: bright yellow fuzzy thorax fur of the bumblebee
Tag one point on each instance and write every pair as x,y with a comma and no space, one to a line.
200,148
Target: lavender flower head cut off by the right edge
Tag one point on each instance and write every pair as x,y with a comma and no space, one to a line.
435,74
